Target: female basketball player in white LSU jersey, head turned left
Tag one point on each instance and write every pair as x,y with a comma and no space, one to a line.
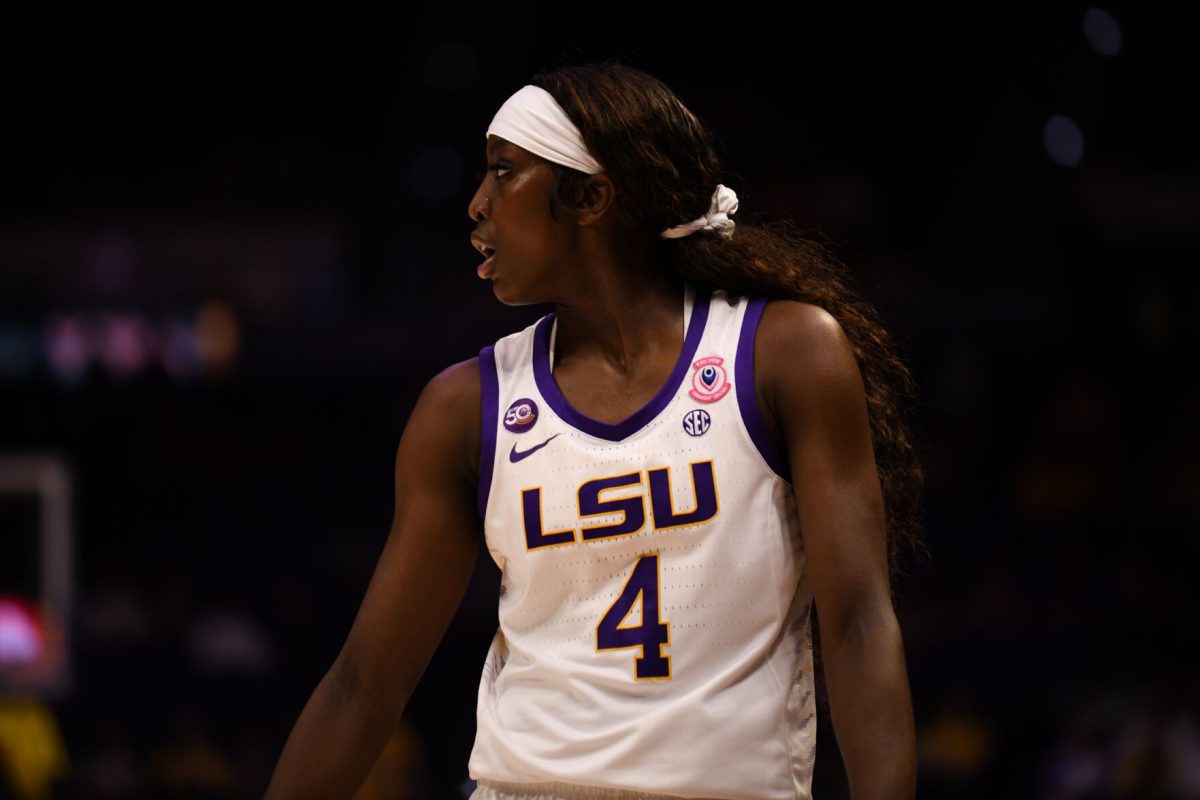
699,448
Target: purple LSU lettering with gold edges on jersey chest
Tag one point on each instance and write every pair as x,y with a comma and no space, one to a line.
633,508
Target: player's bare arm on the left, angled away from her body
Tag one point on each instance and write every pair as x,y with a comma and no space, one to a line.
417,587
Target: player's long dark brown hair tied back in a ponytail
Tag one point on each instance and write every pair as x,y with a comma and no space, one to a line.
646,137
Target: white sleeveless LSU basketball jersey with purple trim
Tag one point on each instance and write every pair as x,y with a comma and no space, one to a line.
655,604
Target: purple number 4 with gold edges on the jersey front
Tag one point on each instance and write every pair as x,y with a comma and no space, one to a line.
651,635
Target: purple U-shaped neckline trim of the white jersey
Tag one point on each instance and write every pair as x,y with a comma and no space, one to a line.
635,423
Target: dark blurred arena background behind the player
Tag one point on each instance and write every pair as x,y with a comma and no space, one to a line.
233,251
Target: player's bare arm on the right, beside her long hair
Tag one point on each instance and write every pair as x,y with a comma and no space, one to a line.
815,390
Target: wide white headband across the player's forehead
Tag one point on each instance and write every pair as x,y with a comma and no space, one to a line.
533,119
